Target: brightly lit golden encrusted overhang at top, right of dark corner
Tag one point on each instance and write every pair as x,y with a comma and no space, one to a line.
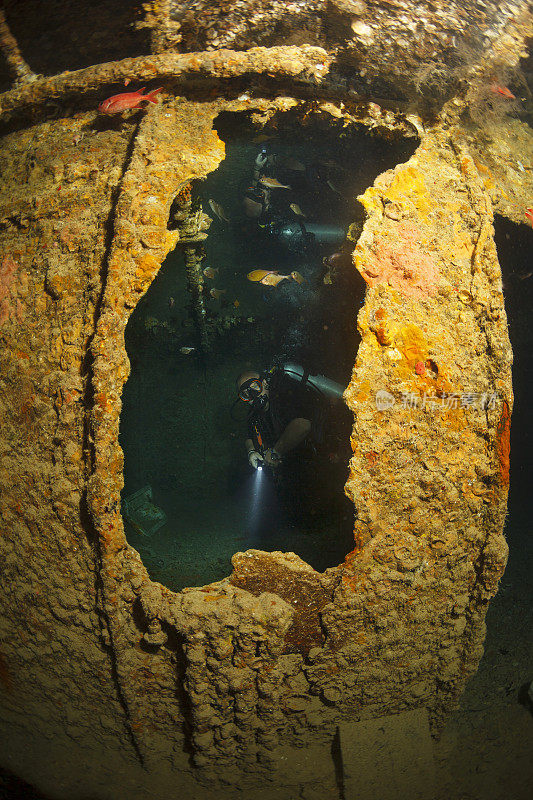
393,50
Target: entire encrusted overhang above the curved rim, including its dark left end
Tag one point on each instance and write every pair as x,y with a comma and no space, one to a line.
411,53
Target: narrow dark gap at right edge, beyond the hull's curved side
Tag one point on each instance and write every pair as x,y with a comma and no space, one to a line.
506,664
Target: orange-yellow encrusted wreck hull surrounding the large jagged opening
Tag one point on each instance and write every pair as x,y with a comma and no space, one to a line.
244,681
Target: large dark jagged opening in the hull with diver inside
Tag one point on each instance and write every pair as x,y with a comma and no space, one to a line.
268,285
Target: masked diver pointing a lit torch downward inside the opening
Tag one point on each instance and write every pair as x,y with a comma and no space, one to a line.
287,408
